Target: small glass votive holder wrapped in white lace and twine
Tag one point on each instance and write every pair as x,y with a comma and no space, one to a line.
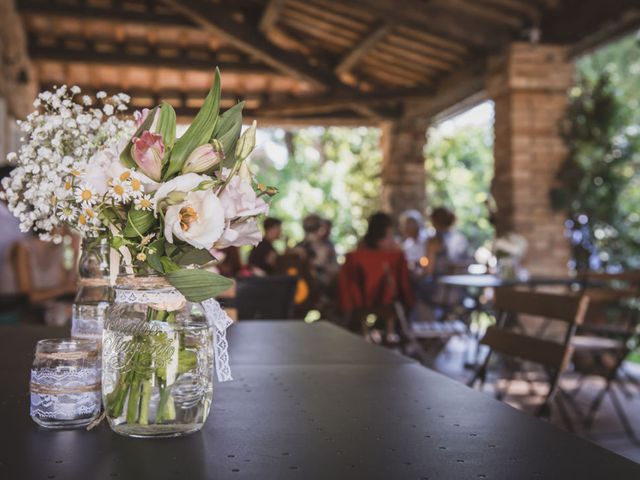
65,383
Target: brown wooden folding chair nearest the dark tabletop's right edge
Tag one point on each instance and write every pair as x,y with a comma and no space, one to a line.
553,356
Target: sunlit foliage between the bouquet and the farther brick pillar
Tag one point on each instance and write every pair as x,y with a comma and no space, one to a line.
334,172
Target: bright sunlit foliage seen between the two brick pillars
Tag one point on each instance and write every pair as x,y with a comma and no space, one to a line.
459,171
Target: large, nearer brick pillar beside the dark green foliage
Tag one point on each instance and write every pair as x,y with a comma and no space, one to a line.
529,87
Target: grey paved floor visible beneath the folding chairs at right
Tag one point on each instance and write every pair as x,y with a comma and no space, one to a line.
606,431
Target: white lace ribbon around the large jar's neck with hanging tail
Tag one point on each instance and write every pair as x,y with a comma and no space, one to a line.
170,299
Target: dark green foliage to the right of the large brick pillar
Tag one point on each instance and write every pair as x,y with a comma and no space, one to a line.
598,187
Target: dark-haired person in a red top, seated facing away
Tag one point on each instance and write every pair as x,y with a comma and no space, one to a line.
375,275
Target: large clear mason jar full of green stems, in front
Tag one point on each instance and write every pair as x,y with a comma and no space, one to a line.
157,360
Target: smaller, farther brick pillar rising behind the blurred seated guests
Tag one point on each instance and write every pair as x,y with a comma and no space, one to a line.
403,172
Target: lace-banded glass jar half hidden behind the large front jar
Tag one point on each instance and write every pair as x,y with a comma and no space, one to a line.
94,293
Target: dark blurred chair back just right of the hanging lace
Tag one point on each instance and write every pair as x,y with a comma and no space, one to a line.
264,298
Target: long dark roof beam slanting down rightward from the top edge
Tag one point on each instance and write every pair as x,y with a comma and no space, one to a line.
222,21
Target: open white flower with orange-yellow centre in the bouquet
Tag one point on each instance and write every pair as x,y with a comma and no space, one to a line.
198,220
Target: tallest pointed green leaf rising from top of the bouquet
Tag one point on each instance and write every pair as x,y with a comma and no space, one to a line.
199,132
